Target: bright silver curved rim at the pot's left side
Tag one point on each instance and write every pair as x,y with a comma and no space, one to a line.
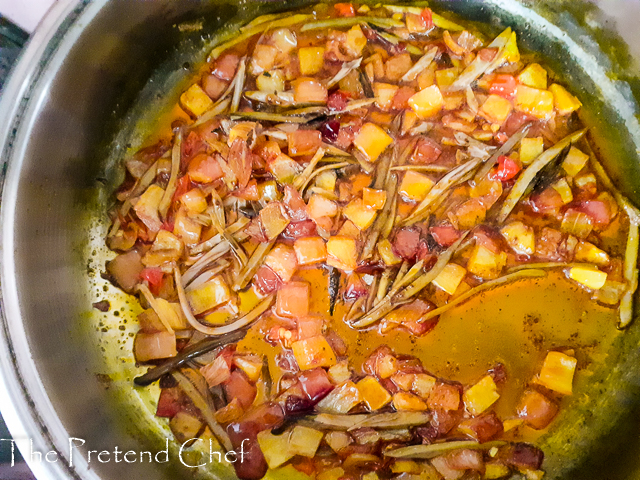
24,402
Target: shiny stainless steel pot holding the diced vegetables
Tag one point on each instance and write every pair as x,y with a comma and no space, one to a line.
90,72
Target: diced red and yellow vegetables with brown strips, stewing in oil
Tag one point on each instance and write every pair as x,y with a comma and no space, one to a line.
404,164
